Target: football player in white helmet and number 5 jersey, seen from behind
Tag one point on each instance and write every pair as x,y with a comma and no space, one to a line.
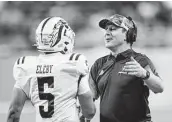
53,80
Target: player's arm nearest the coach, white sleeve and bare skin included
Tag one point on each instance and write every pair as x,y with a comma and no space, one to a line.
84,95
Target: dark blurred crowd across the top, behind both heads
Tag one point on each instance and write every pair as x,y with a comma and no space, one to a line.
18,21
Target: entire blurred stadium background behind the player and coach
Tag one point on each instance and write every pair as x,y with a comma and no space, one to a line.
18,21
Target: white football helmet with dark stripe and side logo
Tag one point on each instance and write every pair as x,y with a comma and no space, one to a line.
54,34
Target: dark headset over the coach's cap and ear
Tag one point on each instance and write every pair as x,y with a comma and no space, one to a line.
131,33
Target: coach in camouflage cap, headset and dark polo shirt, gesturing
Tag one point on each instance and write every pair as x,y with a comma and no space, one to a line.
123,78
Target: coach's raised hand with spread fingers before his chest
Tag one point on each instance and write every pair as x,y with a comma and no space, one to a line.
133,68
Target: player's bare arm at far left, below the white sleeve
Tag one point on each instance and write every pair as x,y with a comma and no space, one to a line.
16,106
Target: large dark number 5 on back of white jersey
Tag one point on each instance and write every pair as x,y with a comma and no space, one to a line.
46,96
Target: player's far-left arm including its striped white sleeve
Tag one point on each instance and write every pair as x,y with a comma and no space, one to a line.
20,91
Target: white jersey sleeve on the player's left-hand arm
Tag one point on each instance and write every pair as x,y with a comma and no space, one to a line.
20,77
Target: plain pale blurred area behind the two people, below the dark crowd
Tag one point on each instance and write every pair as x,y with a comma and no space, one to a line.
160,104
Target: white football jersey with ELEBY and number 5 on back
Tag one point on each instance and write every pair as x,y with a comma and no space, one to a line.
51,83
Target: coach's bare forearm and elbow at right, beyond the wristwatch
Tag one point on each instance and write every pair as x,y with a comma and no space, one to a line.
154,83
